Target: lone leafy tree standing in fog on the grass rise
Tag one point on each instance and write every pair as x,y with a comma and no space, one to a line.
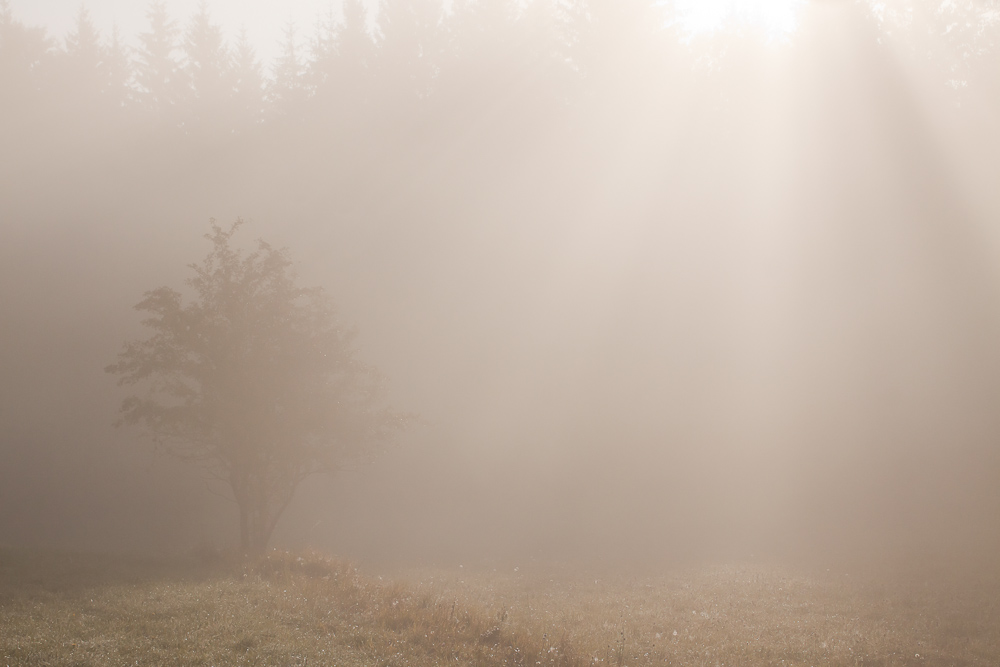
255,379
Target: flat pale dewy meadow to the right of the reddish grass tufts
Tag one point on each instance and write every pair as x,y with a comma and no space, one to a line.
746,615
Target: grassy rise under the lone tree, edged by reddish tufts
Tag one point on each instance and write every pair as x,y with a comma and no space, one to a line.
284,610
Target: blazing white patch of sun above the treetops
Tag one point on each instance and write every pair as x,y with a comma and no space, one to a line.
777,18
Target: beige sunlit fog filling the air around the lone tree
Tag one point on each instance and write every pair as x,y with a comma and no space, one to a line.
655,294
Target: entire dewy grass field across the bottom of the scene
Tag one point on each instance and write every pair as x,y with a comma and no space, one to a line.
77,610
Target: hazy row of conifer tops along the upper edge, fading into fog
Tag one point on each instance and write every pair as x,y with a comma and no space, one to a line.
415,55
